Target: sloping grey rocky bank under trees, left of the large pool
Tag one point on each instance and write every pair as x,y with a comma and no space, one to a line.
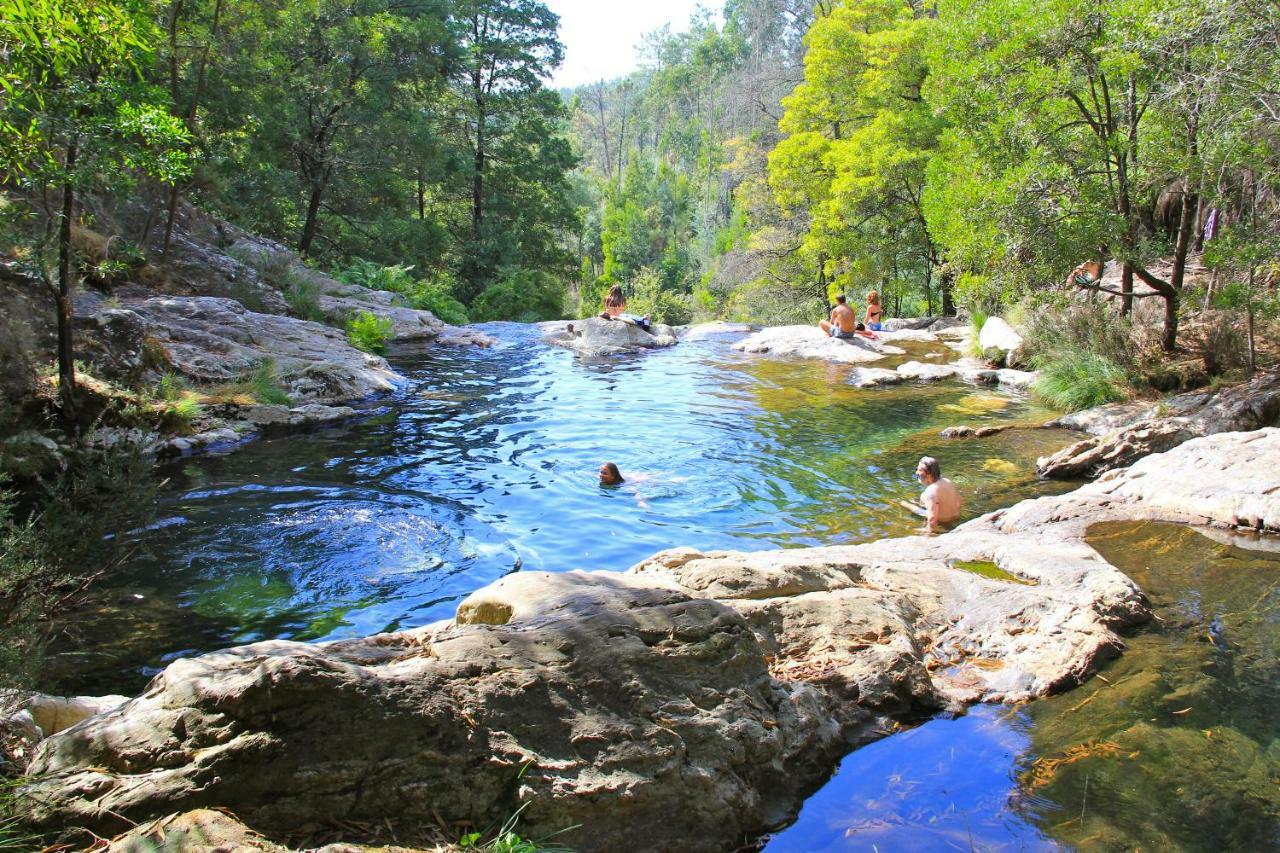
222,307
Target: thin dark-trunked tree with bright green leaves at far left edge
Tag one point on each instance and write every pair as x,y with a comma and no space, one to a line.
76,117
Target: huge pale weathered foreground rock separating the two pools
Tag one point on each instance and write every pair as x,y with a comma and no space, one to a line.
687,704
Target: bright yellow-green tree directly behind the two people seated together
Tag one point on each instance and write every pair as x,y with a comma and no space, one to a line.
858,140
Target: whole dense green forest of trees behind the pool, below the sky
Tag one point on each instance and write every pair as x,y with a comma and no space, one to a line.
947,154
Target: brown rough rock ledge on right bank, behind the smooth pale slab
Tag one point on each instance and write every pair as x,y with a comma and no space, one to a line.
1128,432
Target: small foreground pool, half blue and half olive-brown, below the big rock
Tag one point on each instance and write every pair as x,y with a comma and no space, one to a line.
1174,747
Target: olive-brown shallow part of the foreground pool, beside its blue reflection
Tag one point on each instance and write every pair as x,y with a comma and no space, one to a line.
1180,746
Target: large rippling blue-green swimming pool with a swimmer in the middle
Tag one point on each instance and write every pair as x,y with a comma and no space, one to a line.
487,464
